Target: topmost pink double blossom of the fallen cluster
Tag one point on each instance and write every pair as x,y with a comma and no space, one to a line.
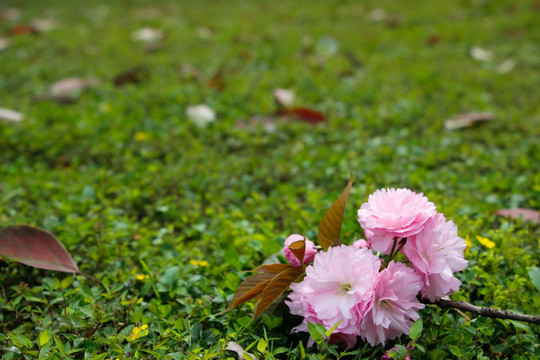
391,213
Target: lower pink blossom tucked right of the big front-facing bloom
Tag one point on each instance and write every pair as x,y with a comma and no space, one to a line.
395,306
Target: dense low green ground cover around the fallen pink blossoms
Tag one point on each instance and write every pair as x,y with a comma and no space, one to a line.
167,215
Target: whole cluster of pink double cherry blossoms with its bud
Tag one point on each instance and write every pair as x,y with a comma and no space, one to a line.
352,287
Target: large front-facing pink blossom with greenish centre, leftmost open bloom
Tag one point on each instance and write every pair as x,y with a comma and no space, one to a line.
338,288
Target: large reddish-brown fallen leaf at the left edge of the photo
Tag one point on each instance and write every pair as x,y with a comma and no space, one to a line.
35,247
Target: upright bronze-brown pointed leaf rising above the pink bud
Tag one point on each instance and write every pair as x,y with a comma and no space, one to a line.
330,226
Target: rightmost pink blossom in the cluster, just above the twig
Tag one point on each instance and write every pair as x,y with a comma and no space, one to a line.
436,253
